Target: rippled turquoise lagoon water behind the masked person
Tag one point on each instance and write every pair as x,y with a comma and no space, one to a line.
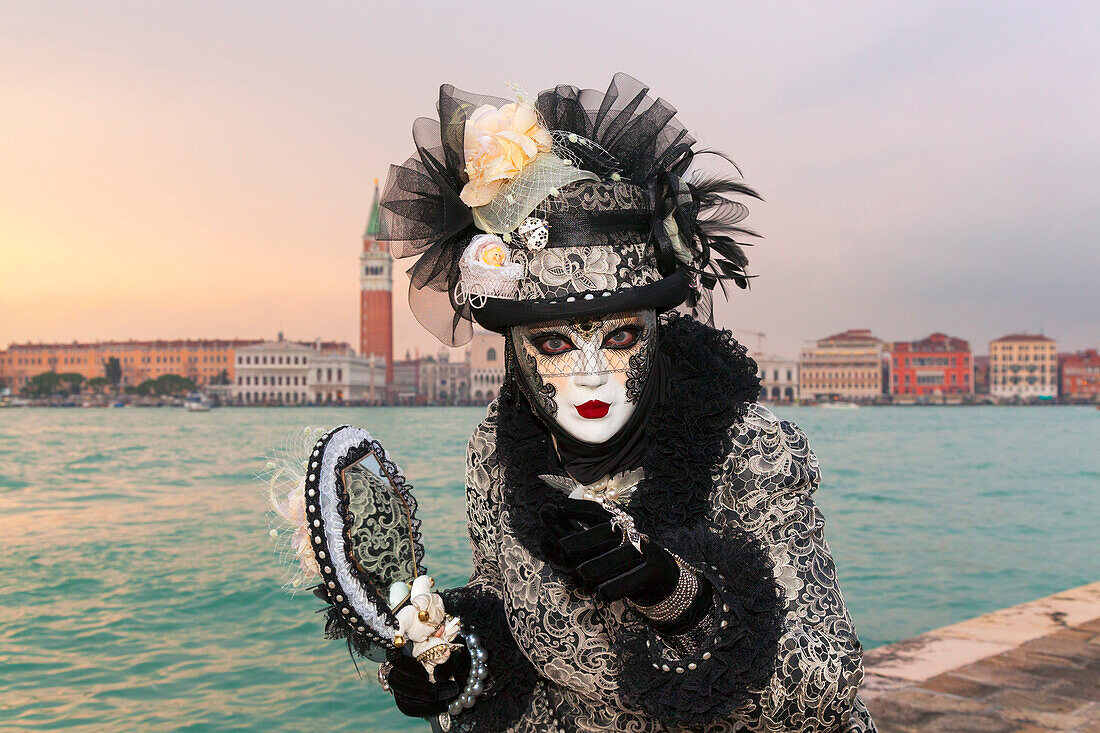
140,592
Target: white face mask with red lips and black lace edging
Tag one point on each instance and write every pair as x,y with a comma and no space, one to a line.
588,376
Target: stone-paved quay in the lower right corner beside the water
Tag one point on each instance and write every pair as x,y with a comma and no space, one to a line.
1031,668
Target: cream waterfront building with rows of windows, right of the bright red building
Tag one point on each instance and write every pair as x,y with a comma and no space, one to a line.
1024,367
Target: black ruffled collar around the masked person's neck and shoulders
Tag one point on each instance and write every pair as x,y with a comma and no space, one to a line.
712,382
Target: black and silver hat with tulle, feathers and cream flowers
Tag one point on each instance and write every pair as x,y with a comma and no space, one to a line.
573,205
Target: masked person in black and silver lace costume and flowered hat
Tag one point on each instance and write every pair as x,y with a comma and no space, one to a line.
647,552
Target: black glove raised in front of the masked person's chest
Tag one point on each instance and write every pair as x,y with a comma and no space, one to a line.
585,545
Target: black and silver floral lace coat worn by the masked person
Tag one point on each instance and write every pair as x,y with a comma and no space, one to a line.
766,488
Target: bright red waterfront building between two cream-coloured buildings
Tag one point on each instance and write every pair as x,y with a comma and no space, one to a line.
938,365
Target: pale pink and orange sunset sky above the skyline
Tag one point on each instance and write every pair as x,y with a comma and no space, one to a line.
205,169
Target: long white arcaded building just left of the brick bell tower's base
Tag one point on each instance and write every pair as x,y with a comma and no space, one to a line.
293,374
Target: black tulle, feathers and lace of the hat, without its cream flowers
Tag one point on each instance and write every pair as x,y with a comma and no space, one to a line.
645,187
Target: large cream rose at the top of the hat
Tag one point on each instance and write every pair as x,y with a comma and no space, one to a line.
498,145
